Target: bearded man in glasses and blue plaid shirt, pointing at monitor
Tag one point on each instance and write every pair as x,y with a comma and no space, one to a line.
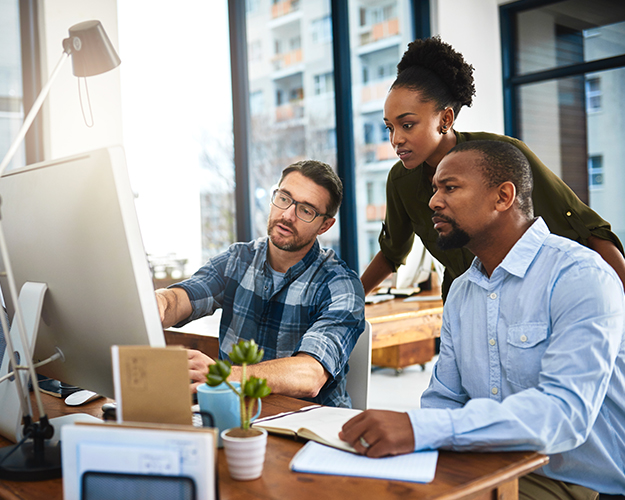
298,301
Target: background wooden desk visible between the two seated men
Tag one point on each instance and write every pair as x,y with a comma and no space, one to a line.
403,333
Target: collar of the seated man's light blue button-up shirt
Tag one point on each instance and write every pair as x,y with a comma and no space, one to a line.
522,254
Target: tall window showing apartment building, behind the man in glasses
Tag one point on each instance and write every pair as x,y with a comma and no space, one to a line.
303,124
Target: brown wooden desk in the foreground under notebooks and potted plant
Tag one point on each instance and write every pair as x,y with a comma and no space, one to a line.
458,475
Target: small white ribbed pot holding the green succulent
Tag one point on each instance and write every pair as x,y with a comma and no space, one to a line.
245,455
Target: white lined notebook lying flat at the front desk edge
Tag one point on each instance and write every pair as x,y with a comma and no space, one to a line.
315,458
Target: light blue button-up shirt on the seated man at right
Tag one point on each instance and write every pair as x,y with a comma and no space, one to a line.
533,358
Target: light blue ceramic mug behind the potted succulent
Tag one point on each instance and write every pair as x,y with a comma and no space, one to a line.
223,404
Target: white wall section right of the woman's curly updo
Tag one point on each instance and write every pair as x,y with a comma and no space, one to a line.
472,28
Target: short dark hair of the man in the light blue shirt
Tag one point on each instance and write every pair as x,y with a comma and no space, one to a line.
504,162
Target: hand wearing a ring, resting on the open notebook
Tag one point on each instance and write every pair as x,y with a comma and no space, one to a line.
378,433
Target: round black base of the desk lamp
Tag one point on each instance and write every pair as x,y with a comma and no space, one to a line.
23,463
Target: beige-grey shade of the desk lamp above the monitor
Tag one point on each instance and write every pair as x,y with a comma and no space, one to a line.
91,50
